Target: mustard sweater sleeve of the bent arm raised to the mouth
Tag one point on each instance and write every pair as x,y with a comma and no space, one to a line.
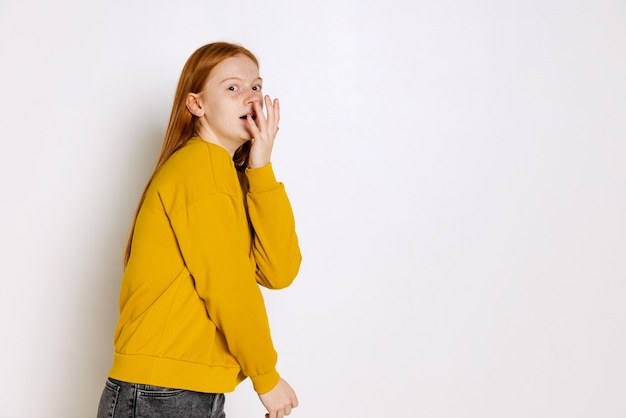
275,248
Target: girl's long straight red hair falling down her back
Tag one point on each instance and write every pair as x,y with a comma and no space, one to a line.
183,125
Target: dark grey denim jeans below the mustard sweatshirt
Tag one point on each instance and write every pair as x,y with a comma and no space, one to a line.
131,400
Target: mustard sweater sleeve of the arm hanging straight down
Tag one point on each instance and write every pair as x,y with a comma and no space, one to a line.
211,237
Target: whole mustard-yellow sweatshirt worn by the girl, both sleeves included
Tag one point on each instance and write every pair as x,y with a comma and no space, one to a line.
192,314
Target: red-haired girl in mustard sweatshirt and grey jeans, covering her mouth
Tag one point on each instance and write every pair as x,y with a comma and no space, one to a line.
213,223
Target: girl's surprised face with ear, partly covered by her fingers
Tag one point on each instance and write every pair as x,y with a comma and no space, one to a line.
227,98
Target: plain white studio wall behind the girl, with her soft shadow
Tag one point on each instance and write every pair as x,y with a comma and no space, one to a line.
456,169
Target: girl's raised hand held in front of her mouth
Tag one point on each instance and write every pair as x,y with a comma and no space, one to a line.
263,131
